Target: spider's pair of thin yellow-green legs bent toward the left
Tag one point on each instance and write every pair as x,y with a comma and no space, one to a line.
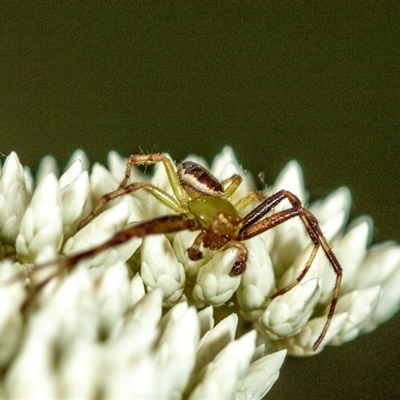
125,188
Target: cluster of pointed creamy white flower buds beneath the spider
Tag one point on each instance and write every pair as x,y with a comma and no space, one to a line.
141,319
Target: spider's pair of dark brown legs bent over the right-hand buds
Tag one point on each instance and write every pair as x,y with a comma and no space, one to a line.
255,225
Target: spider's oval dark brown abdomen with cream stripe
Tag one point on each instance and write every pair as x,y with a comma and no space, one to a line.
197,180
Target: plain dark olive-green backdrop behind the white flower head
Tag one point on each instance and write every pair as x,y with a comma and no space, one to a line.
318,82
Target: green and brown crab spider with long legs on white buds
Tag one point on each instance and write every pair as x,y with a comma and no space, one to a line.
202,203
